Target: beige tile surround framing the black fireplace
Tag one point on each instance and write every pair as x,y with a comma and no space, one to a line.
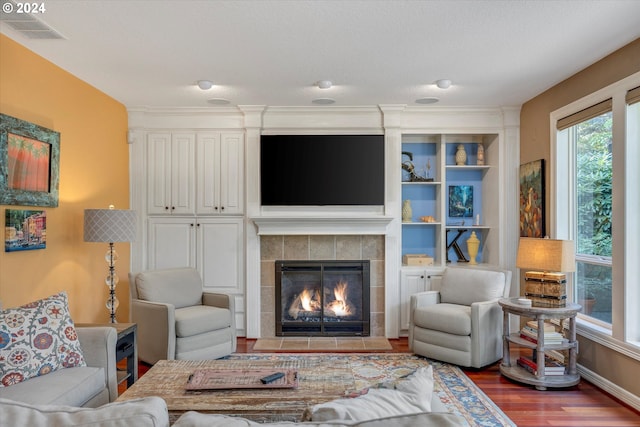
321,247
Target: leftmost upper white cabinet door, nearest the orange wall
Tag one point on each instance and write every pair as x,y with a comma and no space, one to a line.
159,173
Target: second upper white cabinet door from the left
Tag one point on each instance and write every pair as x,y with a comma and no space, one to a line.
183,160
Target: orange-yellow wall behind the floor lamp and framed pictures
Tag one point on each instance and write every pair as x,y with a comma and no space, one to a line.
94,172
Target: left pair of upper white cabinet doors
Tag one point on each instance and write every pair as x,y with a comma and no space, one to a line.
171,173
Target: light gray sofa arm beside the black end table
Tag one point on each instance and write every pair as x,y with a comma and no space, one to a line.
99,350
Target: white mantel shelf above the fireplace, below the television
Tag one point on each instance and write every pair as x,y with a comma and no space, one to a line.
321,225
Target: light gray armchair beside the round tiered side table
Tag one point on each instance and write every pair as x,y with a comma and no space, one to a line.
461,323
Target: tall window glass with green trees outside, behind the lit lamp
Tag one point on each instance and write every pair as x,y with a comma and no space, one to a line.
589,136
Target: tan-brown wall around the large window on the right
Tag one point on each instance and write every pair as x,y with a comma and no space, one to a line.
535,144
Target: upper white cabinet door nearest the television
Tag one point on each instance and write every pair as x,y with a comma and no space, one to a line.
231,173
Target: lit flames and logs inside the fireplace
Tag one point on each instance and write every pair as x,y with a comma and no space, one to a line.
308,303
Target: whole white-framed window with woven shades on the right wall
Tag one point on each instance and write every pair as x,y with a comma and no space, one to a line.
595,171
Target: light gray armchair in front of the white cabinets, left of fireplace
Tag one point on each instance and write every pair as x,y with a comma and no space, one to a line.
177,320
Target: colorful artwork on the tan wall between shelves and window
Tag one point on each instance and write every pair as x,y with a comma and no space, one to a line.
532,212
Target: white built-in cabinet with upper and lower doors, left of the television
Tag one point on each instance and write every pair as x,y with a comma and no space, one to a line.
195,193
